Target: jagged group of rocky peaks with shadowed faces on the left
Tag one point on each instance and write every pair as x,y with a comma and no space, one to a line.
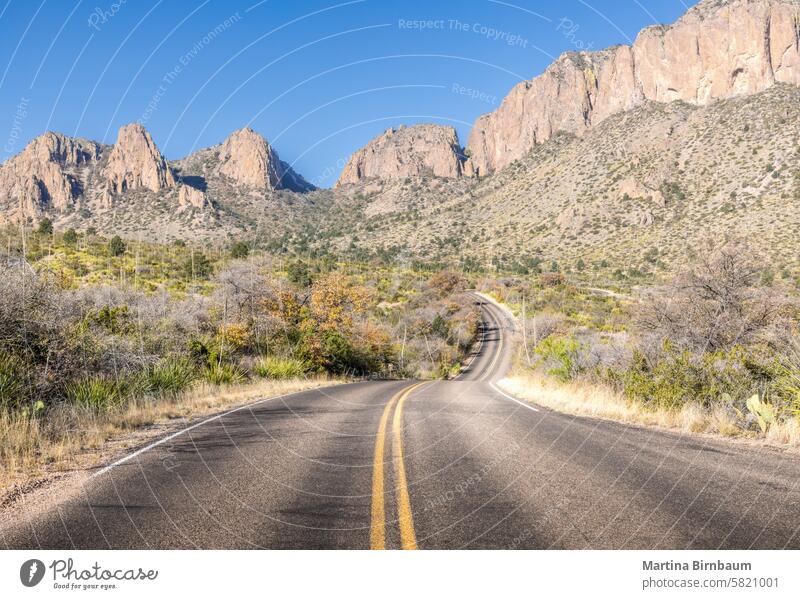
131,188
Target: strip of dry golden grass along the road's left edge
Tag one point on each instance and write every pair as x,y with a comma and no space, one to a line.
71,438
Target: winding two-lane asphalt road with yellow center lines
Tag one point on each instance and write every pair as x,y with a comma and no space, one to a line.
428,465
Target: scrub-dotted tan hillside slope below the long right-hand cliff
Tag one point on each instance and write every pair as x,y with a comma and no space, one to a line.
636,192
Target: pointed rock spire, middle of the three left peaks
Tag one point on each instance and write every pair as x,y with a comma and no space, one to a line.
135,162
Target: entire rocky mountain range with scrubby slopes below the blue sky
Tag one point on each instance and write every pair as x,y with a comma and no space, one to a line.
628,157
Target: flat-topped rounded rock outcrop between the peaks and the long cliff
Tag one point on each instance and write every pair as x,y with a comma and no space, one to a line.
407,152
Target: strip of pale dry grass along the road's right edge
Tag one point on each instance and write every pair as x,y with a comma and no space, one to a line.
585,399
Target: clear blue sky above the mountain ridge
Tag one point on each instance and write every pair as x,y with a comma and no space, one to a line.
317,78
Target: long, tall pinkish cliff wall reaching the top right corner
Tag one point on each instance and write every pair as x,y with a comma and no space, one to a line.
719,49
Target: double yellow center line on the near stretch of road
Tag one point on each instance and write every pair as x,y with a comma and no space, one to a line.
377,535
